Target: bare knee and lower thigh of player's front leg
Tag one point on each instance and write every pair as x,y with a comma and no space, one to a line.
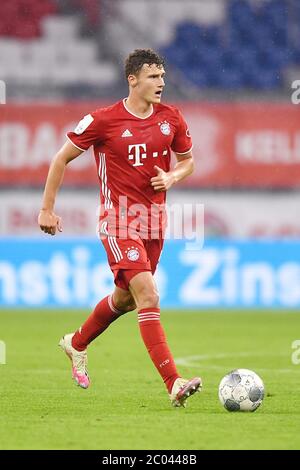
144,290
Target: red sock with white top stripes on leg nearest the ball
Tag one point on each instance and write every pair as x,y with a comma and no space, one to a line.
155,341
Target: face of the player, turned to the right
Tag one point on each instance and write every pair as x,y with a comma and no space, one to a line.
150,83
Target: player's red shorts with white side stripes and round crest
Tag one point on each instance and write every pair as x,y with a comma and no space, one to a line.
128,257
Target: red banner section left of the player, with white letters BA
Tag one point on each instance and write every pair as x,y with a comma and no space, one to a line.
30,136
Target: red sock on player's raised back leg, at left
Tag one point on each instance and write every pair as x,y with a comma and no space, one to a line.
103,315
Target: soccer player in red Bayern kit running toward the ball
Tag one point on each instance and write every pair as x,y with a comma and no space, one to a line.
132,141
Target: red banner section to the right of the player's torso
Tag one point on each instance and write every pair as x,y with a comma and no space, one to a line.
245,145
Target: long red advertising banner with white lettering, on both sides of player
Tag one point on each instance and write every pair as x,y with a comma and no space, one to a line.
235,145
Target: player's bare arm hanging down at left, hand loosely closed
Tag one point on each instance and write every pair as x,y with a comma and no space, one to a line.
48,221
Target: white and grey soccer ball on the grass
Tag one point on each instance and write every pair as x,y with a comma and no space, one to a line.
241,390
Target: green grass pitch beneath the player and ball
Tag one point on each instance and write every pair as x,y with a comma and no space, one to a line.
126,406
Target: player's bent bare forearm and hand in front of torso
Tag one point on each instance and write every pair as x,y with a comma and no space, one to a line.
183,168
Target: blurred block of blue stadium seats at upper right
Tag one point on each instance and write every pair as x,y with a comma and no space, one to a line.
250,49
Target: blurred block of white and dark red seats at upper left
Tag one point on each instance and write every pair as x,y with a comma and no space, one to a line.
59,58
